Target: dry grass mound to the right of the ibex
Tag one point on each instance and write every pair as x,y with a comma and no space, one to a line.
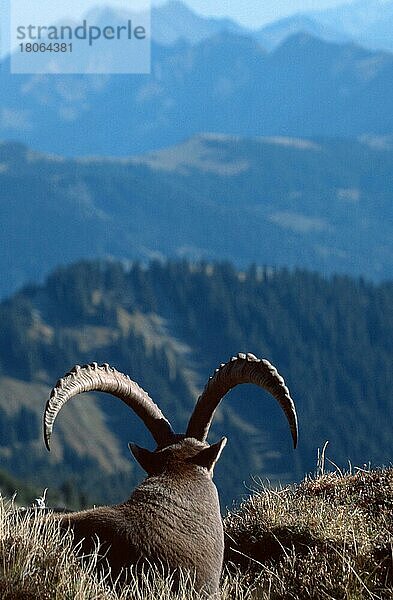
327,538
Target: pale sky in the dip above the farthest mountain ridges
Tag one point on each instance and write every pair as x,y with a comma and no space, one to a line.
254,13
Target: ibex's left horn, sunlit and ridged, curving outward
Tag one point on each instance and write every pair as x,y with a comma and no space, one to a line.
104,378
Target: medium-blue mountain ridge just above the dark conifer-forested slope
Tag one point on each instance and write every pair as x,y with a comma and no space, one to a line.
323,204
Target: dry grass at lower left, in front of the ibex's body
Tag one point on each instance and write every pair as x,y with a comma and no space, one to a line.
37,563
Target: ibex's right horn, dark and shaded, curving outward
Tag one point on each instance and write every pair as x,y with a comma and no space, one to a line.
243,368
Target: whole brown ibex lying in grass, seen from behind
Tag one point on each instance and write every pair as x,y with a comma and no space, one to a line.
173,517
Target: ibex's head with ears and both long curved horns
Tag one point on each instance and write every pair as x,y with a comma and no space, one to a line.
173,449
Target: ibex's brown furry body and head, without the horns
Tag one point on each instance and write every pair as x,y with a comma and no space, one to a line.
172,518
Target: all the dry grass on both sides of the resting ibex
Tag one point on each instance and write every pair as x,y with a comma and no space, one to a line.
330,537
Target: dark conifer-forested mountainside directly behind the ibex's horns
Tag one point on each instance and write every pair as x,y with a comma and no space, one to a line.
168,326
